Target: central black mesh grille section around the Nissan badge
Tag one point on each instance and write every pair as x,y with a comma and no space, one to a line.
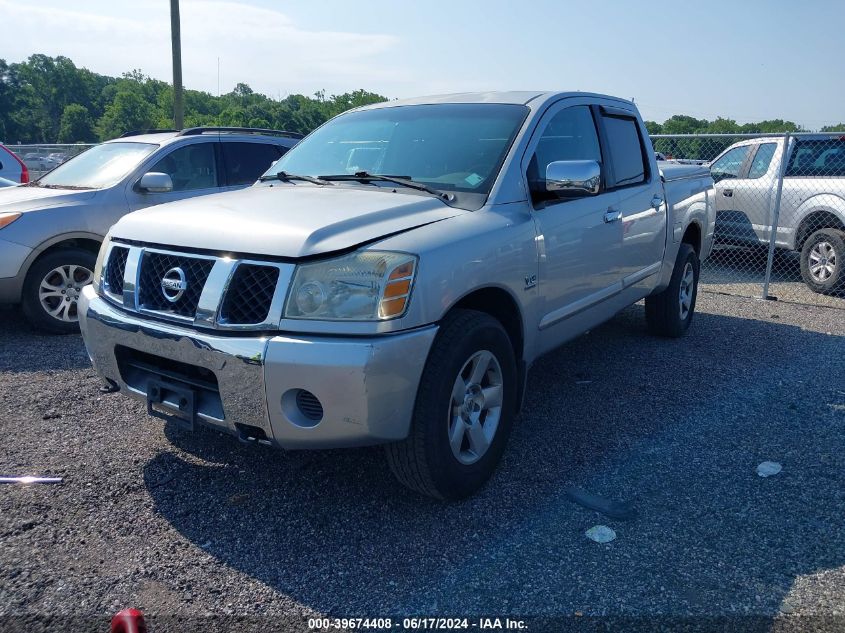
153,268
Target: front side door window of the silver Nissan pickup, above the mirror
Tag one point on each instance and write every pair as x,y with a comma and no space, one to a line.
570,135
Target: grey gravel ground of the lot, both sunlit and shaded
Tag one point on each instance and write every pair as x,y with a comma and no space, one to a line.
197,525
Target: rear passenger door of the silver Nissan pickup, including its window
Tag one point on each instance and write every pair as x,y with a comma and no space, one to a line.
640,197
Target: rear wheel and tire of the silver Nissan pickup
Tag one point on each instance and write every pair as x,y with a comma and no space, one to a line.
669,313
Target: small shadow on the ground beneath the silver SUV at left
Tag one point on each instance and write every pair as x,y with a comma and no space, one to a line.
24,350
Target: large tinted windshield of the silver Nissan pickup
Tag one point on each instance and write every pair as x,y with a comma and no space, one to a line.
451,147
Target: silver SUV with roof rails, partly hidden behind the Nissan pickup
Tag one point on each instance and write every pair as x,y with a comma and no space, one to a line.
51,230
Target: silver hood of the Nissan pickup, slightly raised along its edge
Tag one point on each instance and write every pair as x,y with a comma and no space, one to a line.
283,220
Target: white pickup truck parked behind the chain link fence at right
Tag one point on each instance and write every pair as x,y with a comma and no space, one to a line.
812,213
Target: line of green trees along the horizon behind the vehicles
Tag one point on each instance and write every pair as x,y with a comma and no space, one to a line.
50,100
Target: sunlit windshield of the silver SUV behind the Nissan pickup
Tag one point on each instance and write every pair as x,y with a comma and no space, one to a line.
101,166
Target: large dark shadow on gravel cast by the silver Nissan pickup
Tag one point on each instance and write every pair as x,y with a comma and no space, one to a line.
675,427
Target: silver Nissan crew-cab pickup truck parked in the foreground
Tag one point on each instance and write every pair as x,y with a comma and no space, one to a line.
392,278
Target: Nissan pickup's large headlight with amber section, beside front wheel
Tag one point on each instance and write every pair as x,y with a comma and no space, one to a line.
363,286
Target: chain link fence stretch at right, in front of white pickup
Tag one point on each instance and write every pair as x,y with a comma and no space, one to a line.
780,213
